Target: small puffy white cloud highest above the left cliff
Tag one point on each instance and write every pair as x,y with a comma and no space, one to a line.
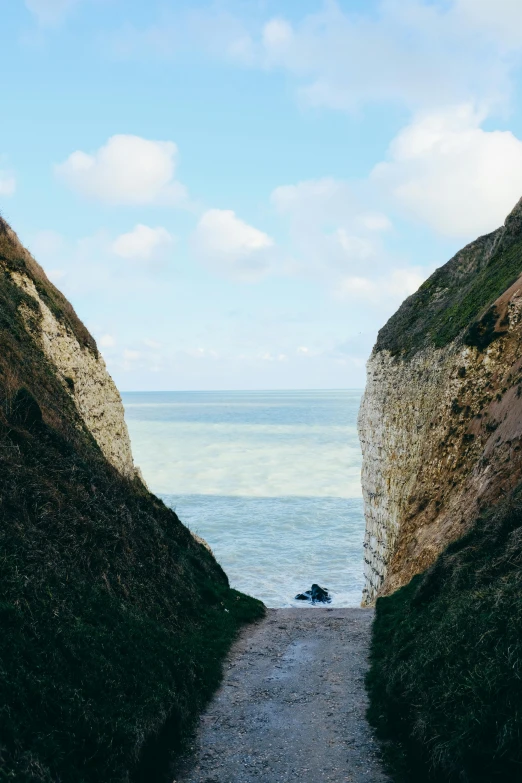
126,170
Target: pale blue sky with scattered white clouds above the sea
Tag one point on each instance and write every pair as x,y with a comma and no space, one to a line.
238,194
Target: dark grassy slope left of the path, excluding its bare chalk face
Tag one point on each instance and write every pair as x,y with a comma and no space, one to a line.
113,620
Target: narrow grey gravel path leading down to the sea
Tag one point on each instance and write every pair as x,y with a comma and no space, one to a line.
292,705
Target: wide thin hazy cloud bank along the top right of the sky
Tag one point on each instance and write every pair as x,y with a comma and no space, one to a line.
418,53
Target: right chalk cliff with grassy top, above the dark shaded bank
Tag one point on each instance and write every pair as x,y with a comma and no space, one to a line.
441,419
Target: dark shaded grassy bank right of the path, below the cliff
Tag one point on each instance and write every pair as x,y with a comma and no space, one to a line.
445,682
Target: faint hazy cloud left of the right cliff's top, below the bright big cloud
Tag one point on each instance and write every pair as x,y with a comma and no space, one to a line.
338,240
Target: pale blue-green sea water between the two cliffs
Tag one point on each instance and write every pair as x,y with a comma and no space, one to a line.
270,479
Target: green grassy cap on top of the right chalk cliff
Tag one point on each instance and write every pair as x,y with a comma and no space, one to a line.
454,299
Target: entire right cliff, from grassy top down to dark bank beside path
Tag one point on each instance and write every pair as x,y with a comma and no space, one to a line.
441,427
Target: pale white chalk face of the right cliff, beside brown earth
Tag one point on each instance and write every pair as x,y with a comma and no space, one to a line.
404,412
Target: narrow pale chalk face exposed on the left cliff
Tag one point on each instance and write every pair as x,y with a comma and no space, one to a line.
86,380
